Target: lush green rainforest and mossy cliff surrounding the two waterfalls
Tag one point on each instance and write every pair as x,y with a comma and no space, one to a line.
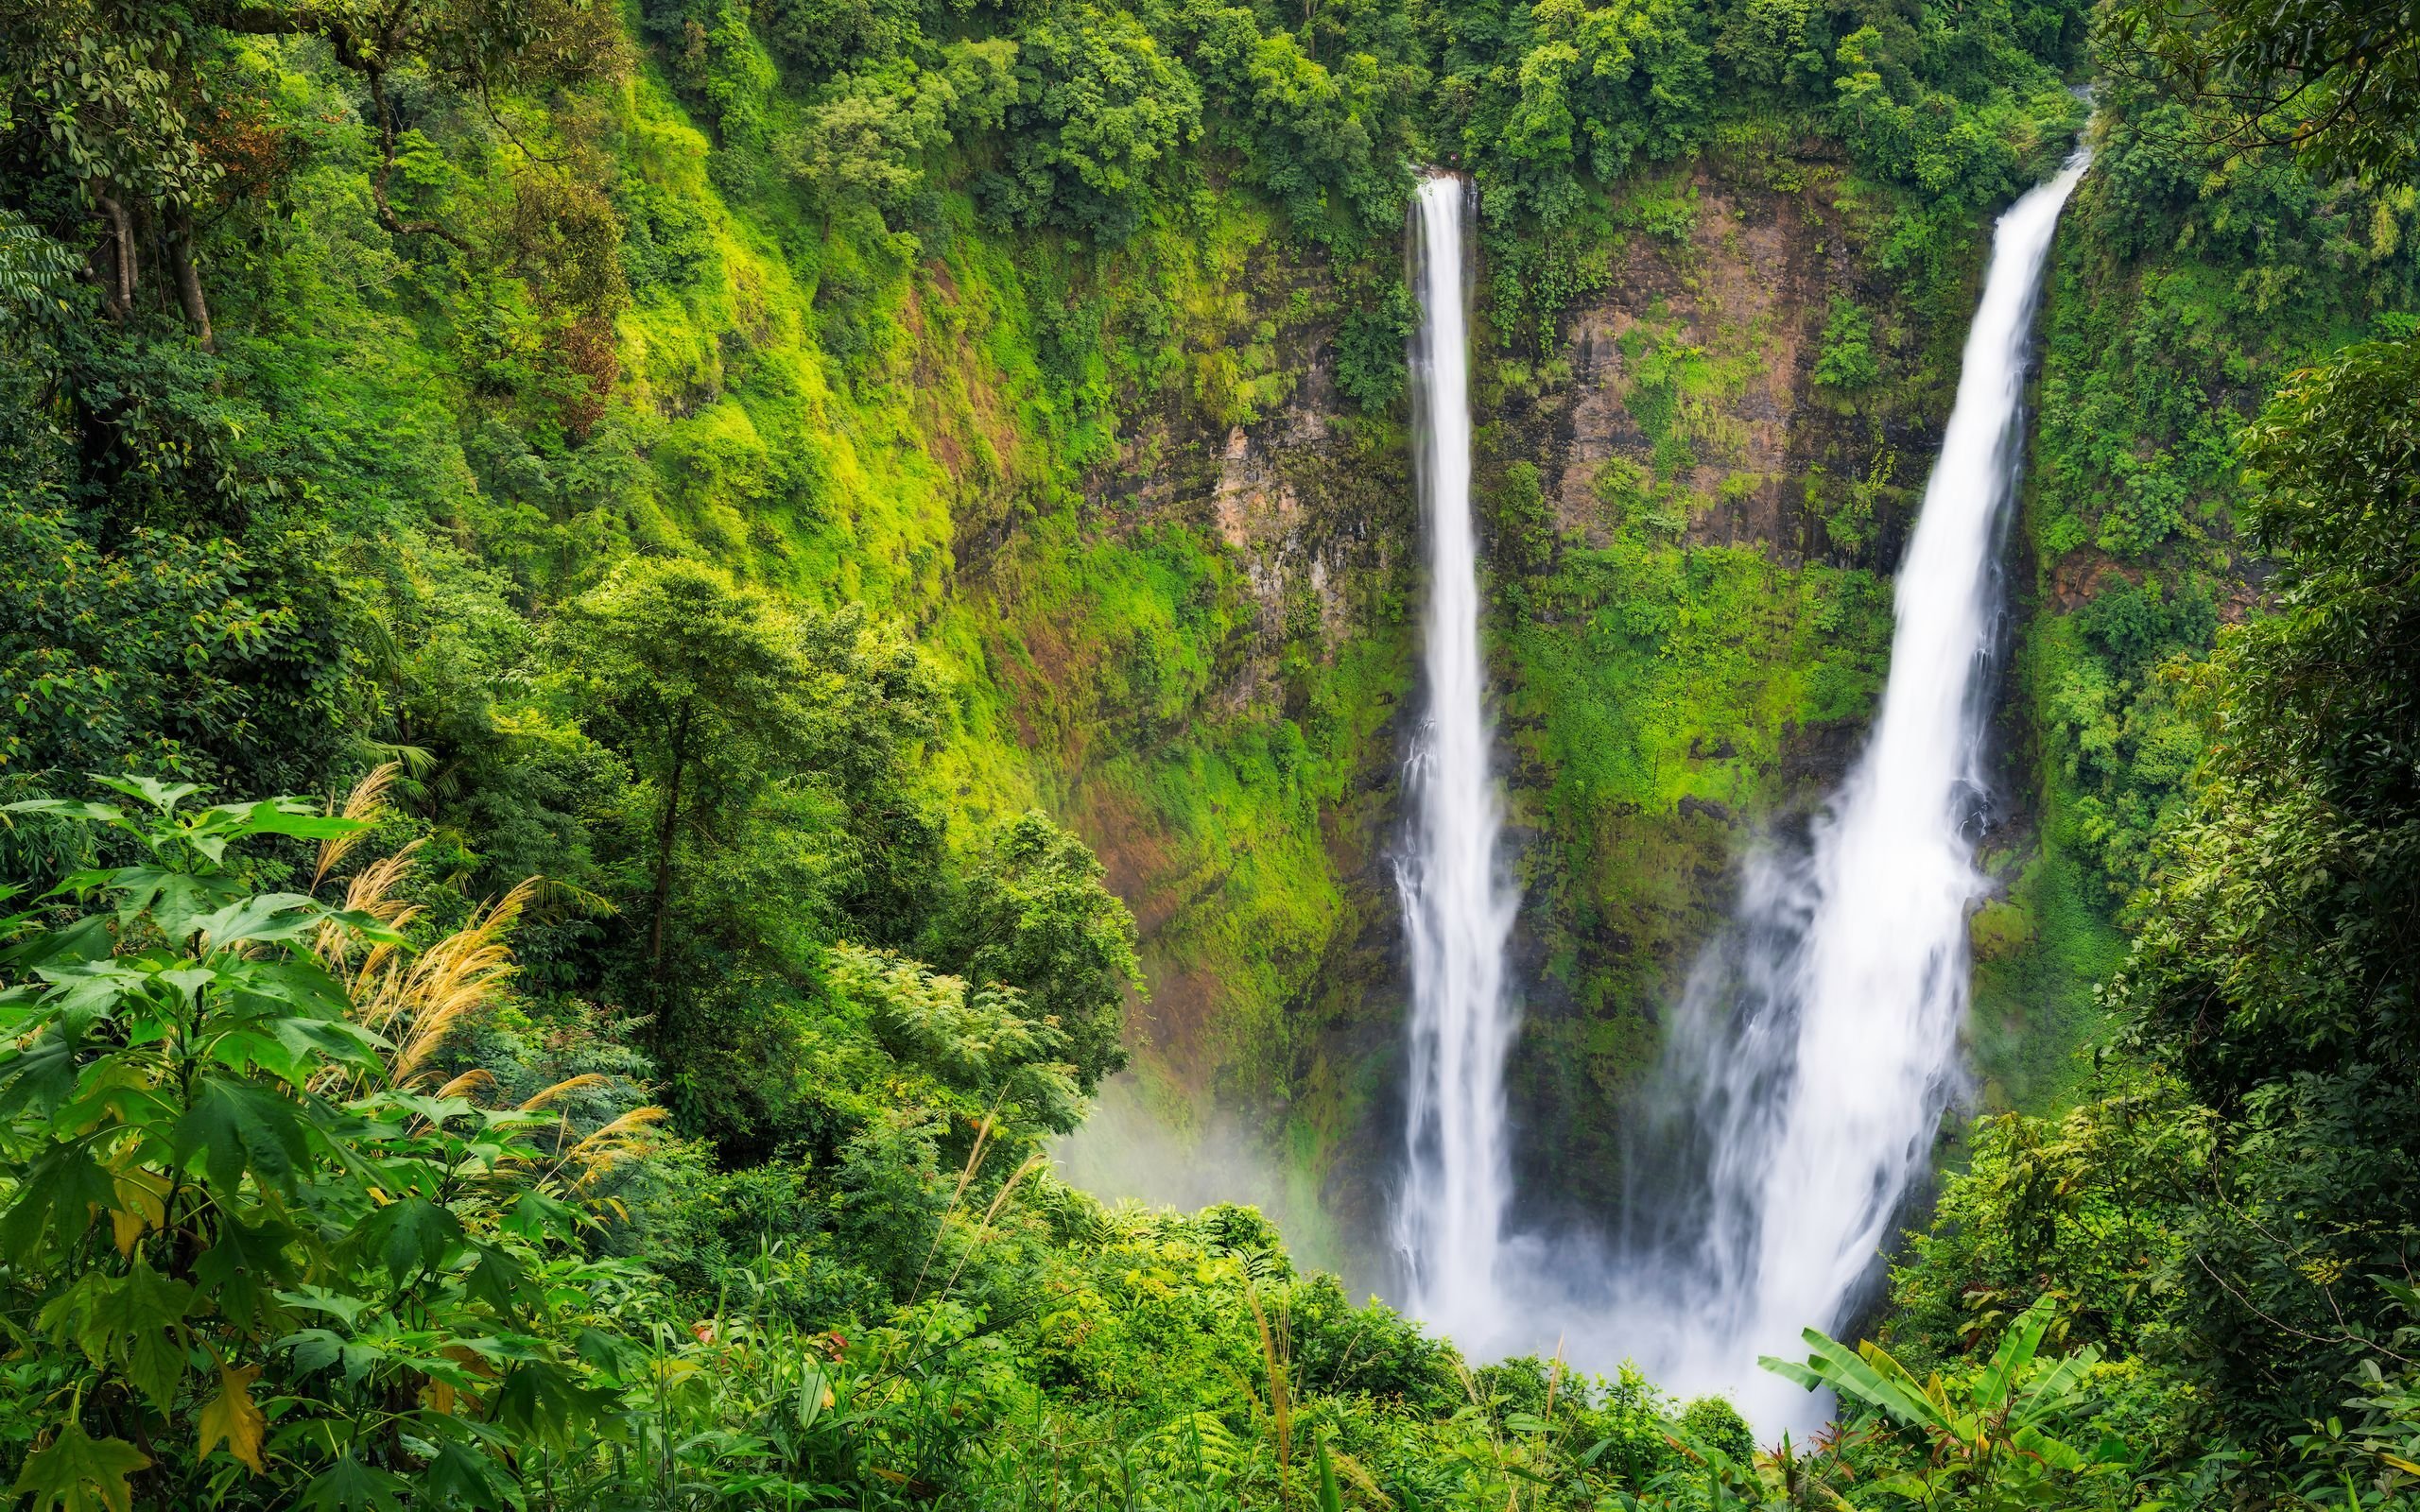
650,645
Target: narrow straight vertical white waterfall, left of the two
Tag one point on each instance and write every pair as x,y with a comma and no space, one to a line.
1458,906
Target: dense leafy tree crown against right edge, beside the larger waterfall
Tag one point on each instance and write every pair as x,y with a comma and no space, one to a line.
2278,933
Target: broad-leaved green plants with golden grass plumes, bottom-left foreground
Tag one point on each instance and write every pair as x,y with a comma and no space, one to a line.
243,1233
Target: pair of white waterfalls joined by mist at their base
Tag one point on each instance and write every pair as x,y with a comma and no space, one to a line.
1816,1051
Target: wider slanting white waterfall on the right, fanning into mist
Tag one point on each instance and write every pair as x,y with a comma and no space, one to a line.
1819,1044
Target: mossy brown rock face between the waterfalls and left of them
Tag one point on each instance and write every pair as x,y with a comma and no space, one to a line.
1688,630
